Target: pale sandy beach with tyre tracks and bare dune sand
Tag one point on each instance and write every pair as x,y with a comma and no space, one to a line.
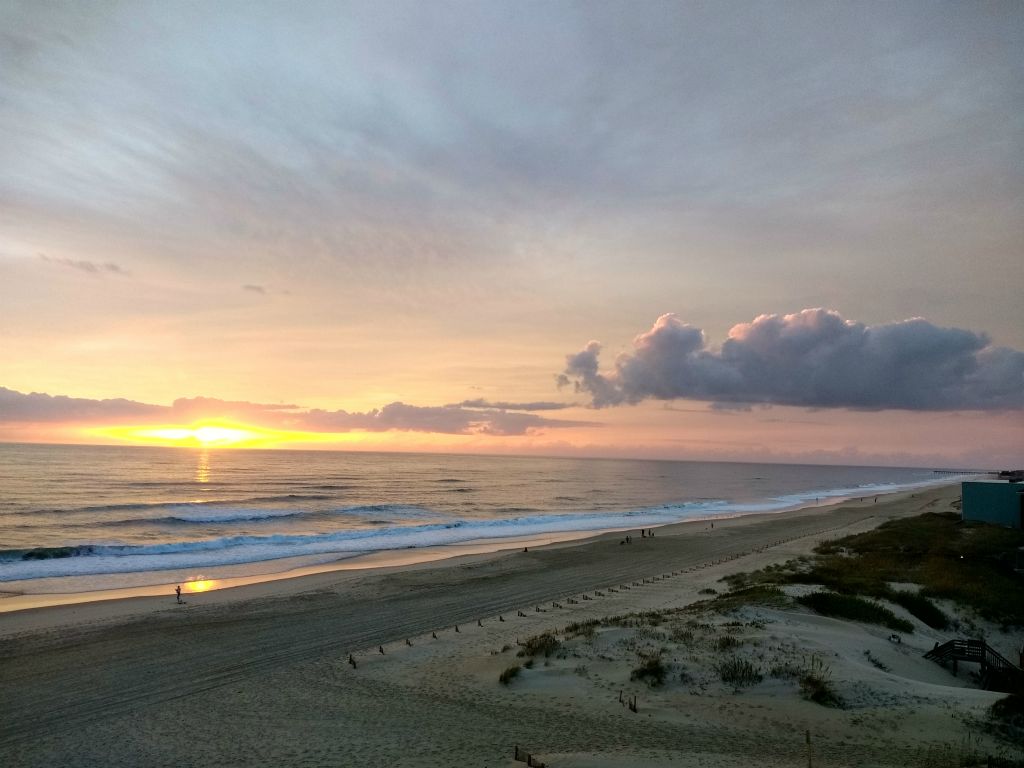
260,675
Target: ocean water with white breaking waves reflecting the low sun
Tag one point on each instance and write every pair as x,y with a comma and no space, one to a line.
83,518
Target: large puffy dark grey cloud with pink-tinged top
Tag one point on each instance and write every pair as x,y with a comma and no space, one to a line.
813,359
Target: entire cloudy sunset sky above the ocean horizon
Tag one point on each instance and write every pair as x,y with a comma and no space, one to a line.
750,232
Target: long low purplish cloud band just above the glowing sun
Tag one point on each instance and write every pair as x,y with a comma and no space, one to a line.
40,408
